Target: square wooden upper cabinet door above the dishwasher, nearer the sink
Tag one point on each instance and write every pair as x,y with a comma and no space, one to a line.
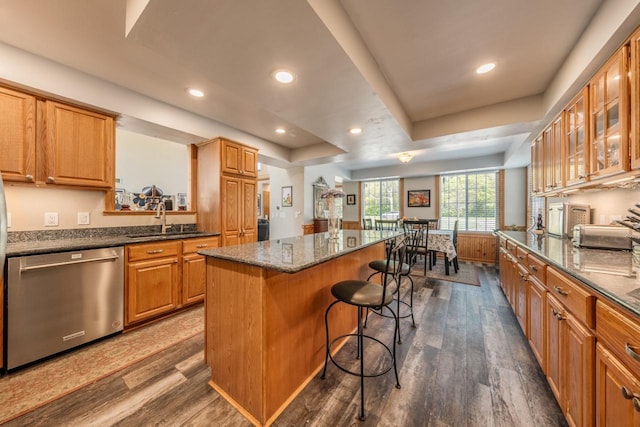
79,148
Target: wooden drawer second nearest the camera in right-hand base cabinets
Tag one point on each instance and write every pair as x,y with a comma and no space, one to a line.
576,299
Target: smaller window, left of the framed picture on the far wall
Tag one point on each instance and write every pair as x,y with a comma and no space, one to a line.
381,199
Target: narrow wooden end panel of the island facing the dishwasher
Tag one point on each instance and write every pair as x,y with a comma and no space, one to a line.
234,343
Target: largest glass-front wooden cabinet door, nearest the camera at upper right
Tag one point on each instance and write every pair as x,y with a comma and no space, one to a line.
609,105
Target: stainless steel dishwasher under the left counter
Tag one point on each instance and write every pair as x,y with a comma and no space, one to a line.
58,301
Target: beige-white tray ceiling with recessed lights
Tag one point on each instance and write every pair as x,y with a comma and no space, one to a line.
403,69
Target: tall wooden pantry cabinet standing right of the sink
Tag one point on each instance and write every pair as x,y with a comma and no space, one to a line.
227,191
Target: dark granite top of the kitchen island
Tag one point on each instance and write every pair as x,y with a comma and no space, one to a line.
293,254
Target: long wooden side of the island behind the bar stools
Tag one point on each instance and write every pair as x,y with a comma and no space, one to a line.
294,326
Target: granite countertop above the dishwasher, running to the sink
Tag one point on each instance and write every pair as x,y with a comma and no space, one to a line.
34,243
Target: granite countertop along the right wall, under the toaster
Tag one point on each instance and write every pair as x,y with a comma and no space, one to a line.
612,273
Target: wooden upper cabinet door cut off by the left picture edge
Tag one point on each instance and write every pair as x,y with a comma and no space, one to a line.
18,142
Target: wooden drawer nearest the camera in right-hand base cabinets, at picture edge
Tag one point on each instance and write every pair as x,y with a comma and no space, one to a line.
621,333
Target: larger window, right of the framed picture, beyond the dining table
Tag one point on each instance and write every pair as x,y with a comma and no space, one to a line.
470,198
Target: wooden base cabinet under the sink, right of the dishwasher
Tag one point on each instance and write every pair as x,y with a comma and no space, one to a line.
162,277
